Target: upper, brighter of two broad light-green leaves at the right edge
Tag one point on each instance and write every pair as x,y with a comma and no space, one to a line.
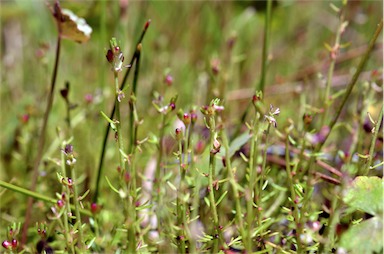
366,194
